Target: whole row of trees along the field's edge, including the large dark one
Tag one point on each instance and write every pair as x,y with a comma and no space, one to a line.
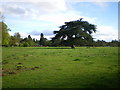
73,33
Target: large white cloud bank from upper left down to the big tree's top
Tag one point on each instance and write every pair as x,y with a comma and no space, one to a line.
55,11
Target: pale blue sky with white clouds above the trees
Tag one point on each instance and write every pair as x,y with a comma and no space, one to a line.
33,17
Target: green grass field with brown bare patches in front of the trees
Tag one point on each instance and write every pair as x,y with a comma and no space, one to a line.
60,67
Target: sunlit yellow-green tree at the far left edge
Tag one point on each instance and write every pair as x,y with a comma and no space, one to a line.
5,35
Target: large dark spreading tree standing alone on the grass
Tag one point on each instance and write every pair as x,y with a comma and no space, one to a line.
75,33
